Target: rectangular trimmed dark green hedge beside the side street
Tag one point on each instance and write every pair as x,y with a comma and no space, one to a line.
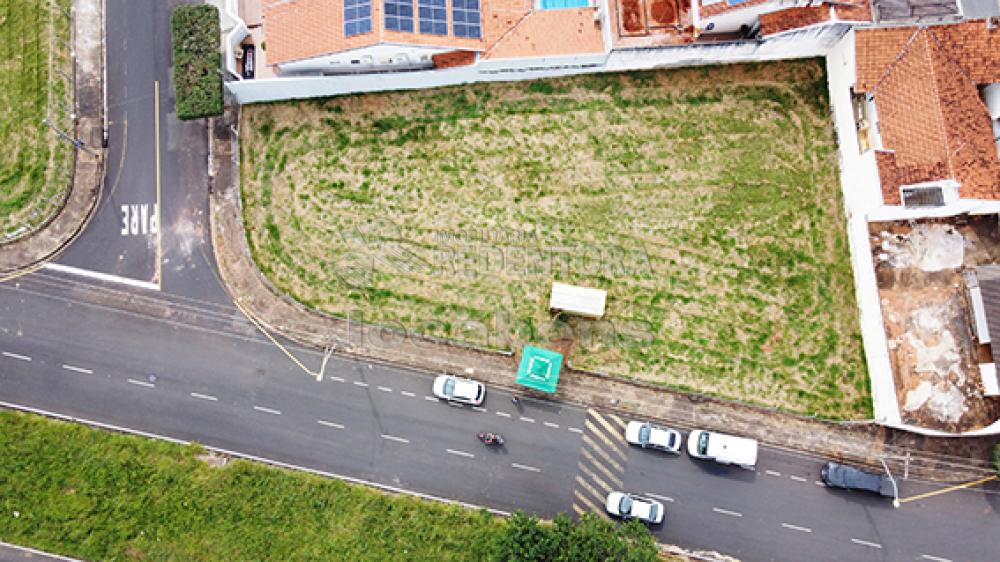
197,62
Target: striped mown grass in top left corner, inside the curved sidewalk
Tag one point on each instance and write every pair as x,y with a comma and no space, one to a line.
35,165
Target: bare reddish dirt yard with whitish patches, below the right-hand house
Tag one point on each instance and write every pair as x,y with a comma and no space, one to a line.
928,320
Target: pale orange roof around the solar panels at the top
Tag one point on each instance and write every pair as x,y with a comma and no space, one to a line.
303,29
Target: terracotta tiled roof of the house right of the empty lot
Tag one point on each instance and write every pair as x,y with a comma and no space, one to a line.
932,121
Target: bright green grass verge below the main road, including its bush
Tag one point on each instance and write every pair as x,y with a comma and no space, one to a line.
87,493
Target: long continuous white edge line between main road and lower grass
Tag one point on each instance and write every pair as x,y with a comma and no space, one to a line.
248,456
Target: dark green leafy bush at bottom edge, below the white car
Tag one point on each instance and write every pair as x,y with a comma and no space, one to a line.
525,539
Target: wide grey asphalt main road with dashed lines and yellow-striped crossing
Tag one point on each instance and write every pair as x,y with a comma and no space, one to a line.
212,379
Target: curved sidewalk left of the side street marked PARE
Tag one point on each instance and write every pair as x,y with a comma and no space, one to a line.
26,254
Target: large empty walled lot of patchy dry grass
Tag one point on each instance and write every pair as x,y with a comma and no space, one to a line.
705,201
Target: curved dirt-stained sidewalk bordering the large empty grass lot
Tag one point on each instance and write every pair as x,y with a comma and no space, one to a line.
860,443
